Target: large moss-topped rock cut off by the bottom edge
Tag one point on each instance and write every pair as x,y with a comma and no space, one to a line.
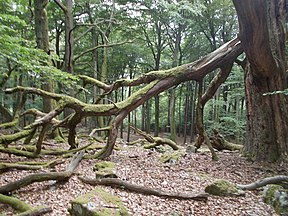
94,202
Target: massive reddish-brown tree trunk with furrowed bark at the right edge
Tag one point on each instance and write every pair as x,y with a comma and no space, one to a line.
262,33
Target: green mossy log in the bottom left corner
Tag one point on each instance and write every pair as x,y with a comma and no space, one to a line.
24,208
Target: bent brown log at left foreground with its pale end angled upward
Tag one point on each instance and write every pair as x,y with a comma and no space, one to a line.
39,177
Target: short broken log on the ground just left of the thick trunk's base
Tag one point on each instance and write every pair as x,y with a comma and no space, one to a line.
218,142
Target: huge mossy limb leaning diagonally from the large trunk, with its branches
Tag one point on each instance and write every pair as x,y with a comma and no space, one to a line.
156,82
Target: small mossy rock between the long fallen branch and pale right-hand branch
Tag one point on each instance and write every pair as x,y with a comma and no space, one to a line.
223,187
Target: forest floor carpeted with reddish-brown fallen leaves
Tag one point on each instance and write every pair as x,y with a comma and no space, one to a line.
142,167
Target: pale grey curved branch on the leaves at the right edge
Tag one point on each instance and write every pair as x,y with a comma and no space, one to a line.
280,179
